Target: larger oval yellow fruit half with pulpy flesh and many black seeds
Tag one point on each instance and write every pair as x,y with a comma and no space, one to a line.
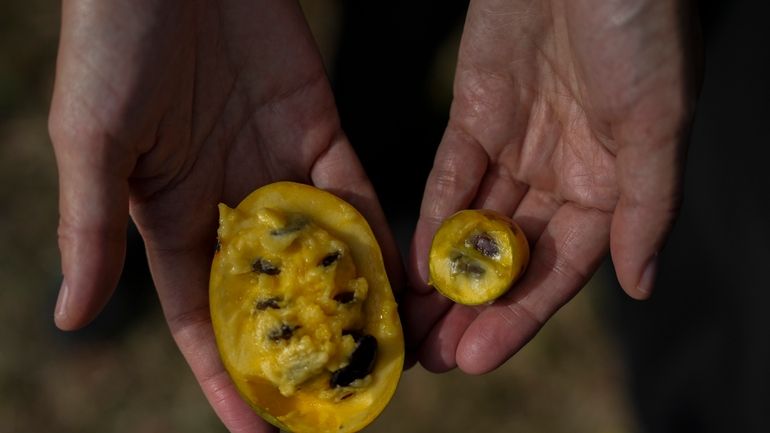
304,317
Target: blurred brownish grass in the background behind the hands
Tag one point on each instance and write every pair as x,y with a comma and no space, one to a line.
568,379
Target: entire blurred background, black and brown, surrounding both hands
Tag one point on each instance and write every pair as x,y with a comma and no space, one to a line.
693,359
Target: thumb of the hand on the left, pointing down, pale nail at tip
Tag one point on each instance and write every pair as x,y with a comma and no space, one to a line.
93,215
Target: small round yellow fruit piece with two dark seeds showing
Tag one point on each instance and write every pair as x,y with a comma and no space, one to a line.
476,255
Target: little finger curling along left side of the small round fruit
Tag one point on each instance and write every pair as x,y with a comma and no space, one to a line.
458,168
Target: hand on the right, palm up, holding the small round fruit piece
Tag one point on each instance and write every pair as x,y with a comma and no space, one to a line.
571,117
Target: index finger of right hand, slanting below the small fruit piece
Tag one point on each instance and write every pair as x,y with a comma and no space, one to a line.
567,253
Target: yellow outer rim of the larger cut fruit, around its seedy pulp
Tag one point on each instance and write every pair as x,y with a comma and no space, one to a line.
305,411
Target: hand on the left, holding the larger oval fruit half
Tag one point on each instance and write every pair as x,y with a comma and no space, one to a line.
162,109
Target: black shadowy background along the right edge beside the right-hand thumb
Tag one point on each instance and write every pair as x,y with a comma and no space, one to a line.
698,354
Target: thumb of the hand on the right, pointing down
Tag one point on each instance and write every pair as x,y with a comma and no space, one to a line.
650,195
